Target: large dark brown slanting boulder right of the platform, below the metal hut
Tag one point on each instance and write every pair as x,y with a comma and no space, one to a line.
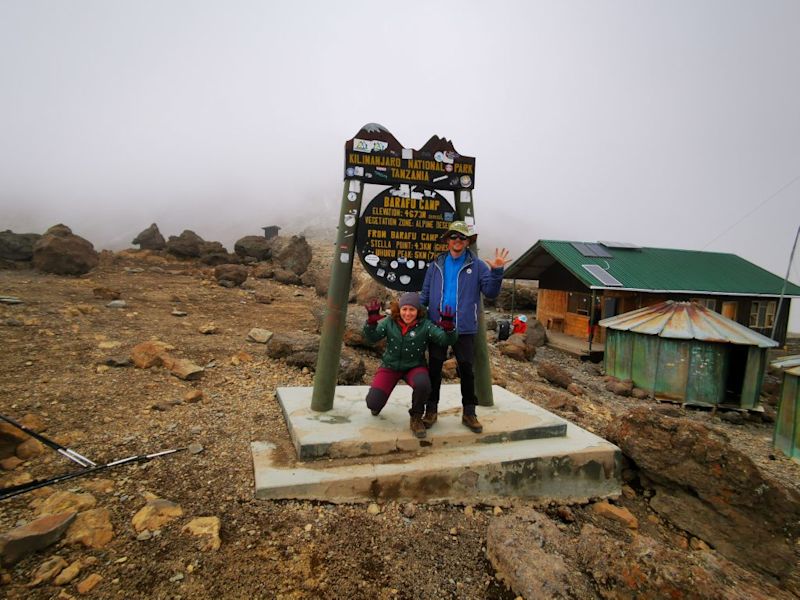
706,486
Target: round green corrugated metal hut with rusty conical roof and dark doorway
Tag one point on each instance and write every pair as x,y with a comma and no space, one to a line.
684,351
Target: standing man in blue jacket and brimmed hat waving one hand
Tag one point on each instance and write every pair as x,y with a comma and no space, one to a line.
456,280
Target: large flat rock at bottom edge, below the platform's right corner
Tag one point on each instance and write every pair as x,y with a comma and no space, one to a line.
539,558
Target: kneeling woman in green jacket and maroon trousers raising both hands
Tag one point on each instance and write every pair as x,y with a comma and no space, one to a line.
407,335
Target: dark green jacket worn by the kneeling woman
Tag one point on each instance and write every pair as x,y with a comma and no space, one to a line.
404,352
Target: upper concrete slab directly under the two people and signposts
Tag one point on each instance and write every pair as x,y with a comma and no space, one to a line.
350,430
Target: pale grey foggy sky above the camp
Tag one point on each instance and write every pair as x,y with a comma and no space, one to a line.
657,123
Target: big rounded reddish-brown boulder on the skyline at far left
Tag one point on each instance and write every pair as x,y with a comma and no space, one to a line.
61,252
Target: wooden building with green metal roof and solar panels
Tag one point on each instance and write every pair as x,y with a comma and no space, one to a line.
576,277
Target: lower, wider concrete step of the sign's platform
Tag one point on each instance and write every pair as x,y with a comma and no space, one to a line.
575,467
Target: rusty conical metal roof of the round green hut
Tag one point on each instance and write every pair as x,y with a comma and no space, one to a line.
687,321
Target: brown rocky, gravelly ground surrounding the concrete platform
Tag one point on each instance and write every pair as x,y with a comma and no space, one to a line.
708,510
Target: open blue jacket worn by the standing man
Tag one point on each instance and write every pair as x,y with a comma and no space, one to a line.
474,278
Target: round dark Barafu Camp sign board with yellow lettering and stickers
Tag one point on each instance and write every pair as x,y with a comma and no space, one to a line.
398,235
